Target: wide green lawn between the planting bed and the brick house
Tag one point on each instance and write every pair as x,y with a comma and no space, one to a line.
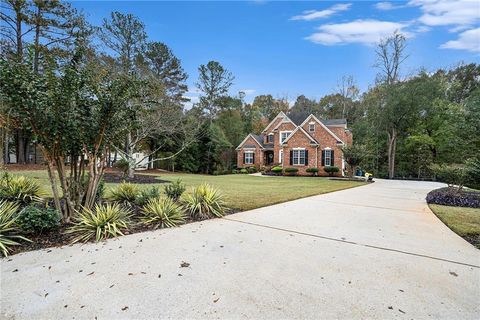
242,192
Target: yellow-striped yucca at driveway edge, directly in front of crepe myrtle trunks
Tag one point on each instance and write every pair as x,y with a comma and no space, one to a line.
102,222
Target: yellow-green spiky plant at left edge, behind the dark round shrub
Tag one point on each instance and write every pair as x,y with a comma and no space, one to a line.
19,189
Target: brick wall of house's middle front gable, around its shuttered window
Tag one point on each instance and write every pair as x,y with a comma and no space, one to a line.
300,140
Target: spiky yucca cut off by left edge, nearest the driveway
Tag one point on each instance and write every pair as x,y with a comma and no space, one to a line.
9,230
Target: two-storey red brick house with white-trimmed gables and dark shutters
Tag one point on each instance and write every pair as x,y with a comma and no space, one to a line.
298,140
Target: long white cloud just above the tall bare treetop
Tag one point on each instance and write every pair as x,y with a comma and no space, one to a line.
366,32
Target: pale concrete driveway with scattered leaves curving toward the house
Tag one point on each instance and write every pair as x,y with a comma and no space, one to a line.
370,252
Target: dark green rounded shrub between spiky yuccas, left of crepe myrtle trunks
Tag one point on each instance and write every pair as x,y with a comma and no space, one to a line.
38,220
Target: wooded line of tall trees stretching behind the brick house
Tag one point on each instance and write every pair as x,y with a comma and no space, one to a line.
405,123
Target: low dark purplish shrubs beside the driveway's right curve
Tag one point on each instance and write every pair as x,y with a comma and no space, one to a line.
445,197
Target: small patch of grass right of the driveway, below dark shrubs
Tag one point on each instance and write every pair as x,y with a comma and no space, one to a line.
463,221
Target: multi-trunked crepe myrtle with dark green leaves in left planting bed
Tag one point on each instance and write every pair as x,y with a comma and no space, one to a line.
74,112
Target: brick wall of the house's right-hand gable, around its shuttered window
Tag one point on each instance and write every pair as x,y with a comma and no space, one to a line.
325,139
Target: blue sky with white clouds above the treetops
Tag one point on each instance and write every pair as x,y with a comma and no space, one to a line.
292,48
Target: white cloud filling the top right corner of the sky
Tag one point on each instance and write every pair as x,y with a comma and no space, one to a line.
448,12
